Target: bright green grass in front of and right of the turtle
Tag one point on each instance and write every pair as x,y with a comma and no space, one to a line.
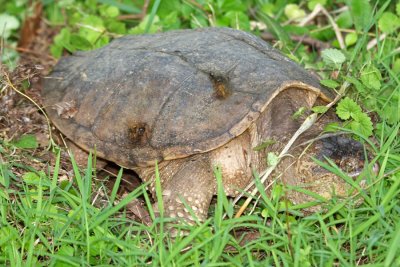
46,220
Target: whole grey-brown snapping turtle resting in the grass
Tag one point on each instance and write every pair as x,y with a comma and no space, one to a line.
191,100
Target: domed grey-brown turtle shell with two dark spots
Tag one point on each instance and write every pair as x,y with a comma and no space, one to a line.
147,98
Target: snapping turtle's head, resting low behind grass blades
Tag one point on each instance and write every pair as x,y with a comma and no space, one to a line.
332,167
